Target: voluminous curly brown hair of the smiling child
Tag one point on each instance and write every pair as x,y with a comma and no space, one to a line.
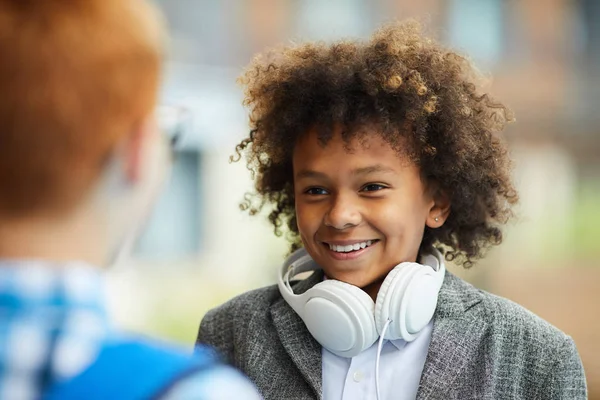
424,100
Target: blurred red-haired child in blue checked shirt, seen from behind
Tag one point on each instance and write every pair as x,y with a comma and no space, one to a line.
81,162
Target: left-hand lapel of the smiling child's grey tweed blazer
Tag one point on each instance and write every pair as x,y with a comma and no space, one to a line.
303,349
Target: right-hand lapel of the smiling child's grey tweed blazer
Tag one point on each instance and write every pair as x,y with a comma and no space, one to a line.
457,331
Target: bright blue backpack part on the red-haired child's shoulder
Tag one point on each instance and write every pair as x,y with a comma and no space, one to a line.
132,371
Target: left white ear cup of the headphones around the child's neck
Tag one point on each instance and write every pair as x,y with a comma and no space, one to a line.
340,317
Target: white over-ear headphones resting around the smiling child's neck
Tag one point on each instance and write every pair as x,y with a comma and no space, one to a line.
344,319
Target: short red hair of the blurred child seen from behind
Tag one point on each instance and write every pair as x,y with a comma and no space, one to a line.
76,76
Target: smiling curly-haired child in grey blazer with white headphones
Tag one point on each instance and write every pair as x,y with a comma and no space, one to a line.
376,155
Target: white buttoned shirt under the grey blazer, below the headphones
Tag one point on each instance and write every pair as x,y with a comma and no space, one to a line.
400,367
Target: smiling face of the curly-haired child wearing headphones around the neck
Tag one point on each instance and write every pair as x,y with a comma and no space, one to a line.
361,207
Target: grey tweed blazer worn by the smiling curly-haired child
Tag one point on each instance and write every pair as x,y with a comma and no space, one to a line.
482,347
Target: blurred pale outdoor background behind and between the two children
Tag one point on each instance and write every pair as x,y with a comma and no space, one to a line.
199,249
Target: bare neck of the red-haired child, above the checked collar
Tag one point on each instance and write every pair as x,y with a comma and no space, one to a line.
76,236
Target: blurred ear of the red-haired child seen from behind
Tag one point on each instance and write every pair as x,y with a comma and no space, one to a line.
134,149
